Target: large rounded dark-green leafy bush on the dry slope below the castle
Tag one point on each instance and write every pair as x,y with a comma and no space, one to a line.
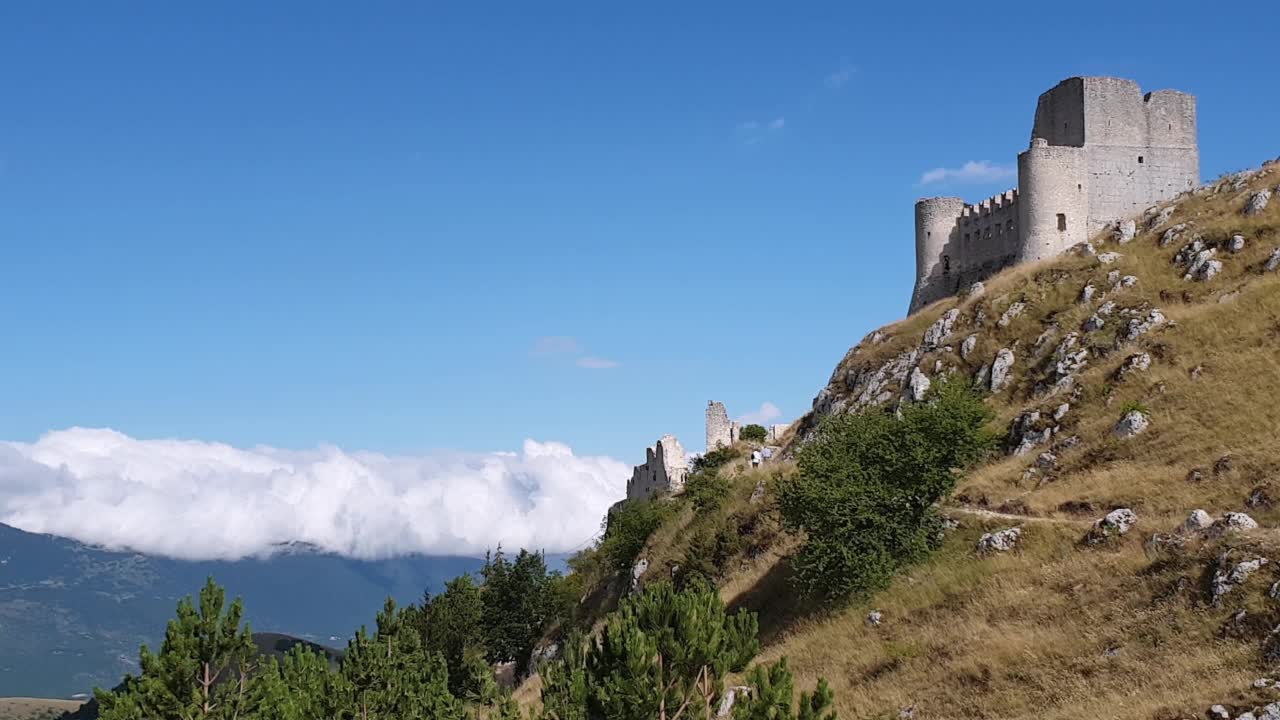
867,489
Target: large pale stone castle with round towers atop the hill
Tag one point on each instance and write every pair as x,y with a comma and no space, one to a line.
1100,152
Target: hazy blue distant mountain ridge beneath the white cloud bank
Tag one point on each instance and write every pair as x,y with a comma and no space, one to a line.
72,617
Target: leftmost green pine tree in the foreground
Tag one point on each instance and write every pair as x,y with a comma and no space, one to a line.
208,668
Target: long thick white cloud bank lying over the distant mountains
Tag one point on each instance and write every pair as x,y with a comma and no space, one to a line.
202,500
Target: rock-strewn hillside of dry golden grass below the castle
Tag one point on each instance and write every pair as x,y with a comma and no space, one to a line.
1059,628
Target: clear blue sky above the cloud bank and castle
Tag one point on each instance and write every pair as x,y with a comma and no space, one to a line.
408,226
